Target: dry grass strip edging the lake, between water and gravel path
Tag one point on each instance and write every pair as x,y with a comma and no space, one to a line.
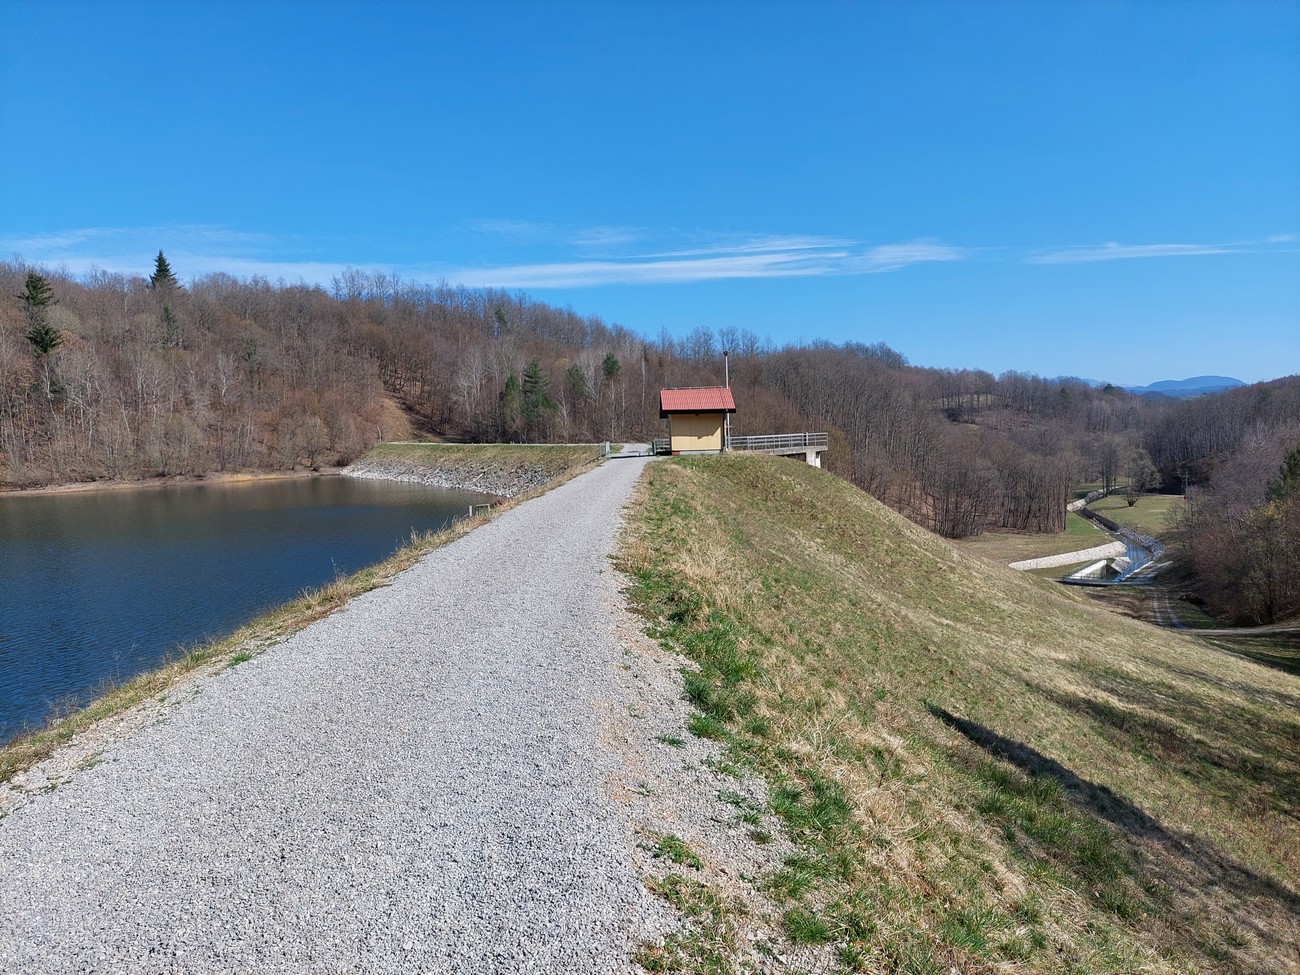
27,751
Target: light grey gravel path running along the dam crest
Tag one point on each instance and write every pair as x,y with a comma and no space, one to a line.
418,785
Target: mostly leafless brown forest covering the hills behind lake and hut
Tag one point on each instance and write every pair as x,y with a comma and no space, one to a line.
118,376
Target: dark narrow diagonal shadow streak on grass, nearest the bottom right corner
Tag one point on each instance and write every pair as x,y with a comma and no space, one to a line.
1188,866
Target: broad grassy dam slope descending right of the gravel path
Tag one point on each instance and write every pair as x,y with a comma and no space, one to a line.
982,774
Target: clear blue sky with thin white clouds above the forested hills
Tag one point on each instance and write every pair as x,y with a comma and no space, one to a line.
1099,189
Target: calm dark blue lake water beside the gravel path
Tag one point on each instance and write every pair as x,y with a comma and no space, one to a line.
98,587
